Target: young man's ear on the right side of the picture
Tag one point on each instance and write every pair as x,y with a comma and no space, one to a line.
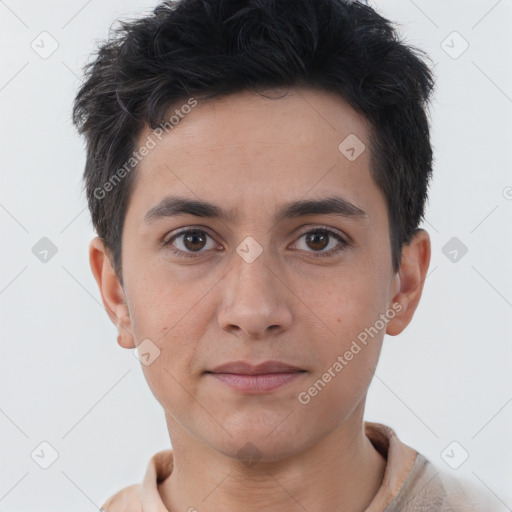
409,281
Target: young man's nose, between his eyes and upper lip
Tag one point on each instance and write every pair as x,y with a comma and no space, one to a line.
256,303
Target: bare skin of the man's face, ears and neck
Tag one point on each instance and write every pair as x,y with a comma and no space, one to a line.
252,154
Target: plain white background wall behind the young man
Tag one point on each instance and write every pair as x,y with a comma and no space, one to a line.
65,380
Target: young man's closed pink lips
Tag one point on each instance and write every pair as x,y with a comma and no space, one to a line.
249,379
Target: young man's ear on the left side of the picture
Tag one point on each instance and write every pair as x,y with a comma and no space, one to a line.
112,293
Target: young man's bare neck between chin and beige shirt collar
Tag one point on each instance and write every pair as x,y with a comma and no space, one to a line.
343,472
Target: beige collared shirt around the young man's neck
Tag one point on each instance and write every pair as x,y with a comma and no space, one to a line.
411,483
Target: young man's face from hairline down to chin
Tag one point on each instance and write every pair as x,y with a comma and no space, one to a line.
267,271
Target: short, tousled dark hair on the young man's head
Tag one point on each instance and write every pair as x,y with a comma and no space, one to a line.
212,48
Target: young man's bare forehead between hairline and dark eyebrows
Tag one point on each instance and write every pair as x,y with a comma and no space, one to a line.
248,152
